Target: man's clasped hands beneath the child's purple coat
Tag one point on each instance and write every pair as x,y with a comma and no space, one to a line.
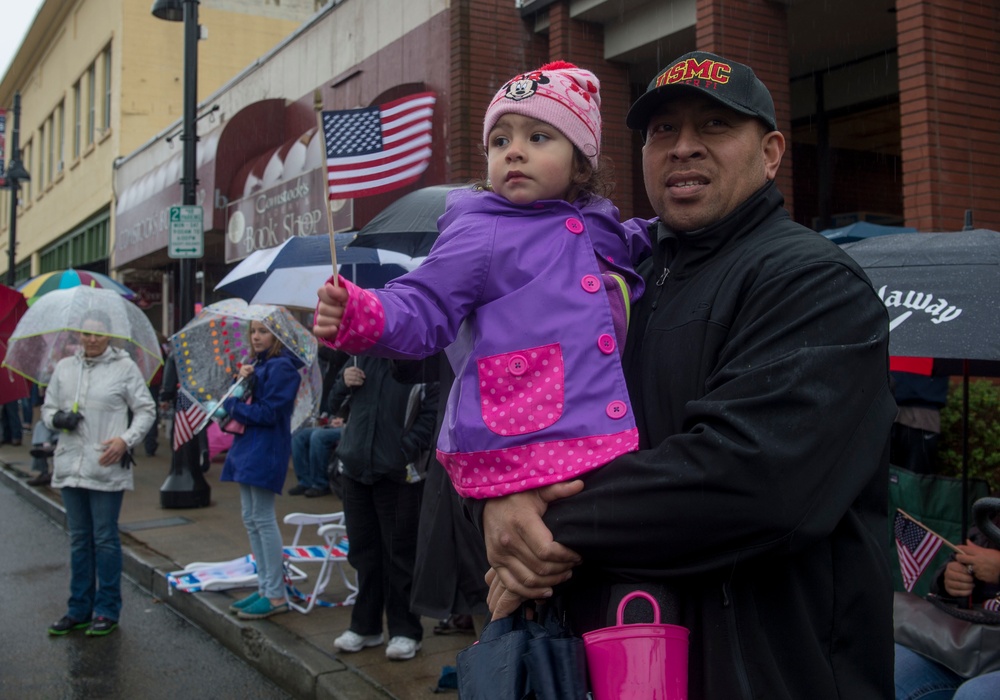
526,560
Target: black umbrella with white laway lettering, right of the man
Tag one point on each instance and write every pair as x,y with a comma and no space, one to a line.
941,291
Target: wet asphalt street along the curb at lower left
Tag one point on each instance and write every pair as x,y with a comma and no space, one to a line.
154,654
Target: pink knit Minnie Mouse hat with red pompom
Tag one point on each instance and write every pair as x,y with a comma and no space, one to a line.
560,94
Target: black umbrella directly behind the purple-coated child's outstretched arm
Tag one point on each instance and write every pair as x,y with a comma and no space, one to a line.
408,225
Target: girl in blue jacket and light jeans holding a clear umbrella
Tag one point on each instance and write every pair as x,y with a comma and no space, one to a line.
258,462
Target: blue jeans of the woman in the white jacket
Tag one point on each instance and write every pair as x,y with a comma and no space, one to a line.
95,553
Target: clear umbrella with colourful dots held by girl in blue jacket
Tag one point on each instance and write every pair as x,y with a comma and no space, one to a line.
211,348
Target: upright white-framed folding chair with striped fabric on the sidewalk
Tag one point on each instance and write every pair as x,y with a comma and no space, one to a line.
332,553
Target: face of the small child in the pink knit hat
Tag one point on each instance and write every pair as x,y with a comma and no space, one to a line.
529,160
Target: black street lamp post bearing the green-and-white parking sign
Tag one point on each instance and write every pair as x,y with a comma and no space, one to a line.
185,486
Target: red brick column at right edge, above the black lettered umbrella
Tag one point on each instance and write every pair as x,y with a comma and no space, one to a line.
949,112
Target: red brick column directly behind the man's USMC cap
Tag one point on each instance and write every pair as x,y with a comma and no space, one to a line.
754,32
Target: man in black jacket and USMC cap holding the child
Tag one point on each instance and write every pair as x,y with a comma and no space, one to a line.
757,363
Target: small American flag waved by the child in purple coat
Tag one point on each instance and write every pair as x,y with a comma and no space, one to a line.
377,149
